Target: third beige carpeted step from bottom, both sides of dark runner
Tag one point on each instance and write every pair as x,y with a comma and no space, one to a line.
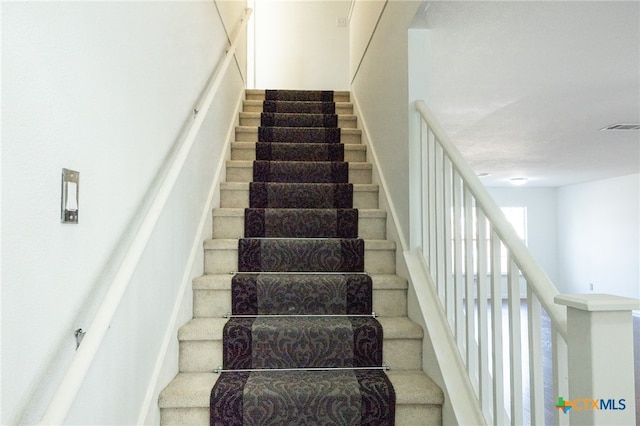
212,295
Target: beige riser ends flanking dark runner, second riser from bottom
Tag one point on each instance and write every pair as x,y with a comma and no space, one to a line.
206,355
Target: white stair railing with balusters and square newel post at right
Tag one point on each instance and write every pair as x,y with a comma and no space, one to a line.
496,315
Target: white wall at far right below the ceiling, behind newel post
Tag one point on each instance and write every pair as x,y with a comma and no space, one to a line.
599,236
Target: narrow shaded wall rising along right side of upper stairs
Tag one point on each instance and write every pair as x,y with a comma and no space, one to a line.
380,88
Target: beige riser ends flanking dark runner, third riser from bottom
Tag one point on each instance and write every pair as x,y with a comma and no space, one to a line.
216,303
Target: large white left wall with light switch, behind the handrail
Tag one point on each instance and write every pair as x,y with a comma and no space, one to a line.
103,88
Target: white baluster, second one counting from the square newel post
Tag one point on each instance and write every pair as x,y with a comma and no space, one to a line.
536,382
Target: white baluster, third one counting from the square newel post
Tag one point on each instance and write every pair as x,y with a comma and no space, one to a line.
515,342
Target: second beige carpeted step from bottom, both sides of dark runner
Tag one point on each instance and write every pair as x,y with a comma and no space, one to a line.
201,344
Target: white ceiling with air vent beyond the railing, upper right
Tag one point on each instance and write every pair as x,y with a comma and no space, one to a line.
523,88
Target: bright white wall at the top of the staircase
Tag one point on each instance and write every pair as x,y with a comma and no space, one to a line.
299,46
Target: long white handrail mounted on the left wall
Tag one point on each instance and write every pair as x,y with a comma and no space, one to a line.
67,390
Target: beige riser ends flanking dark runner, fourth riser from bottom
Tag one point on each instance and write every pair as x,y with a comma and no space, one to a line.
225,260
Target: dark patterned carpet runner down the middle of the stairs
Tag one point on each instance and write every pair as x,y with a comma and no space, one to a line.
301,346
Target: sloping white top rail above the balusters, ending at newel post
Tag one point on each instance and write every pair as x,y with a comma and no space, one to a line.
536,277
